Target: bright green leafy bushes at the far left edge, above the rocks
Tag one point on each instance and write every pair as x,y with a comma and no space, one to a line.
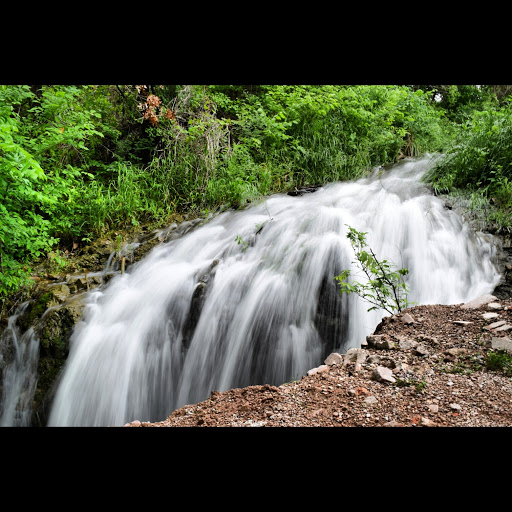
45,137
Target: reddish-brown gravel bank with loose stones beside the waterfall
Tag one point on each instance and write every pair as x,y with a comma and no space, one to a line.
431,366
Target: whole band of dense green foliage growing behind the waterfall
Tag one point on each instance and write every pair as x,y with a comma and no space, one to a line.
76,161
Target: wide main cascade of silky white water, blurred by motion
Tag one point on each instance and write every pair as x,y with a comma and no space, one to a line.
249,298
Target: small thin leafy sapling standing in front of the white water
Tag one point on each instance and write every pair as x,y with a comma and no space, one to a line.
384,288
